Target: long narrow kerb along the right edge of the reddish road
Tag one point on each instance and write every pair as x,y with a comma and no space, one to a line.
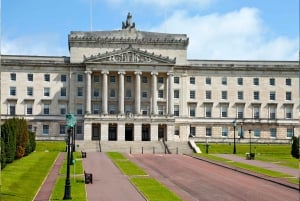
257,175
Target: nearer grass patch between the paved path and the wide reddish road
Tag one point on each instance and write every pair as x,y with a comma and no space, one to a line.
153,190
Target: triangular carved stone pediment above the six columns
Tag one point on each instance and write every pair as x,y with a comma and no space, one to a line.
129,55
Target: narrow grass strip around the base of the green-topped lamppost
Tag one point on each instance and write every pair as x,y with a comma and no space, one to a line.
77,181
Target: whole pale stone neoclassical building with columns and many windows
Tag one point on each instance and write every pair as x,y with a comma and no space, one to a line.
130,85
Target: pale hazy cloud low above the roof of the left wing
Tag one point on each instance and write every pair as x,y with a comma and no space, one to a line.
43,45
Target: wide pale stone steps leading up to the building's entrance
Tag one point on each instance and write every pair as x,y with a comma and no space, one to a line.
134,147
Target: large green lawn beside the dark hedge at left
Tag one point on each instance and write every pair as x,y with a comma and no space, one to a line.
22,178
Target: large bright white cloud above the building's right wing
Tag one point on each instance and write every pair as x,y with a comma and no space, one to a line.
239,34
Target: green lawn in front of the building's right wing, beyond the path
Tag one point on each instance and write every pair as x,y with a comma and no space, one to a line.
279,154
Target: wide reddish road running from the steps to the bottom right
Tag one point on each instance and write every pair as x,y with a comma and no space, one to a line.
194,179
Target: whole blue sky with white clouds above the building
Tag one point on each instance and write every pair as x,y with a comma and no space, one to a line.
218,29
